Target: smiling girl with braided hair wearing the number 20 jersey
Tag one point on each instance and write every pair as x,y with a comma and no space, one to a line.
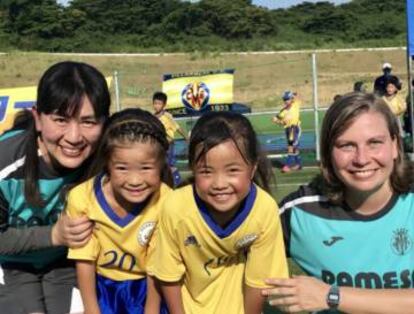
131,179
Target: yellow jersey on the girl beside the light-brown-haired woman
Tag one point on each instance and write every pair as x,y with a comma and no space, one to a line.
214,262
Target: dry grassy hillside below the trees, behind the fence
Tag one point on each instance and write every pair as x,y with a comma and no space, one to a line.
259,78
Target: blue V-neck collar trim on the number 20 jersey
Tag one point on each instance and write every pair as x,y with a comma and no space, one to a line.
103,203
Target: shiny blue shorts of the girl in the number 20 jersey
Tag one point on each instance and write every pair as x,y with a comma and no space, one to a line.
123,297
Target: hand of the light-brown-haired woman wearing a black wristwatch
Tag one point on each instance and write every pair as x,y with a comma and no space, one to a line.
300,293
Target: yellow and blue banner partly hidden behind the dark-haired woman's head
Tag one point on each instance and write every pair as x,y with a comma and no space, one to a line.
14,99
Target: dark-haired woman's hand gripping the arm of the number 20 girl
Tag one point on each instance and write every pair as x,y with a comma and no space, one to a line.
71,232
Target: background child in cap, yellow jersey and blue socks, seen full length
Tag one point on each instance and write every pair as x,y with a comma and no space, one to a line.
289,118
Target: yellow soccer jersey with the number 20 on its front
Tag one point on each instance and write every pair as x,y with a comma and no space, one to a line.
120,246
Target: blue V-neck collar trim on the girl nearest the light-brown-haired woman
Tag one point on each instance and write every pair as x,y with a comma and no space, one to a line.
238,219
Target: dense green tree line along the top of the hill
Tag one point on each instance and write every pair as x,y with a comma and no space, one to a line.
207,25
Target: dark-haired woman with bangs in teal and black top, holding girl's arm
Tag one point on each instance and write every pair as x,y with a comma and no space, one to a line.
37,164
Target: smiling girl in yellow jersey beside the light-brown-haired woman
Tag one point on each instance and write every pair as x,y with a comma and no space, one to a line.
219,238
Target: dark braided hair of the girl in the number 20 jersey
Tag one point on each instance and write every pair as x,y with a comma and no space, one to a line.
131,126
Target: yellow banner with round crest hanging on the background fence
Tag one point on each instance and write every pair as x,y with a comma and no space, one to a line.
195,91
